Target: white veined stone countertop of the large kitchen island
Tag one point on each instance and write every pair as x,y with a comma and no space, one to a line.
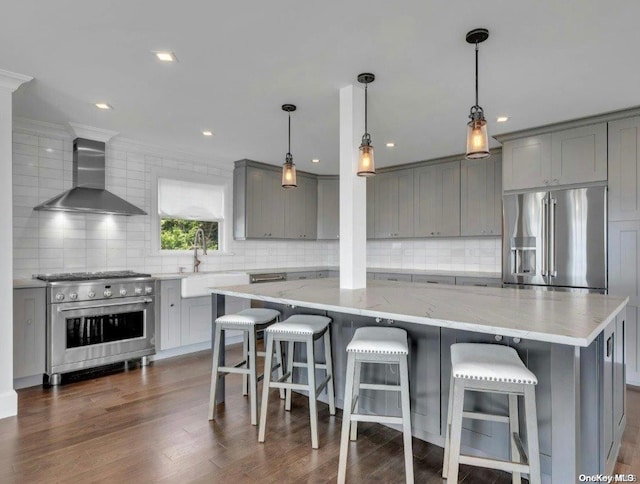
555,317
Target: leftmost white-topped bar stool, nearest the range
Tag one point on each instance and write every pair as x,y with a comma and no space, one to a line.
250,321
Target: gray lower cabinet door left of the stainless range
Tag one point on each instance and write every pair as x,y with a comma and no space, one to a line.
29,331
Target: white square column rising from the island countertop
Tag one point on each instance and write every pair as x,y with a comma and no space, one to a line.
353,192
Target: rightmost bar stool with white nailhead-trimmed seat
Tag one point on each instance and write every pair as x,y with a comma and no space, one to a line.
495,369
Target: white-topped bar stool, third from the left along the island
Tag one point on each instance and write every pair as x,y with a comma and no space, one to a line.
383,346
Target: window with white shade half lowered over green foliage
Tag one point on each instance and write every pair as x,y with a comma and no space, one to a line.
185,206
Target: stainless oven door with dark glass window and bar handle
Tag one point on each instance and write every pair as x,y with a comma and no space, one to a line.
94,333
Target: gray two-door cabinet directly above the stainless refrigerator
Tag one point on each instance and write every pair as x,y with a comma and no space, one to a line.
567,157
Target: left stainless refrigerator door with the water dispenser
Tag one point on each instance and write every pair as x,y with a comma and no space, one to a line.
523,238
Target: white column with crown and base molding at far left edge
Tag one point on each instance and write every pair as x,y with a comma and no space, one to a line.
9,82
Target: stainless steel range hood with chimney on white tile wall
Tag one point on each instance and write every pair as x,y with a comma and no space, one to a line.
88,194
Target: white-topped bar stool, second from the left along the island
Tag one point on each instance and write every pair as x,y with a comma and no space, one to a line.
299,328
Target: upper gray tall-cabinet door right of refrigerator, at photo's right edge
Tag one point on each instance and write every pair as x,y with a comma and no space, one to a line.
624,169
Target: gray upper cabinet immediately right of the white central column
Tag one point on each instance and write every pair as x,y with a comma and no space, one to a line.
393,204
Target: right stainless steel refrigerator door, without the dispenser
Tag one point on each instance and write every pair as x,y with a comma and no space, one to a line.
577,240
